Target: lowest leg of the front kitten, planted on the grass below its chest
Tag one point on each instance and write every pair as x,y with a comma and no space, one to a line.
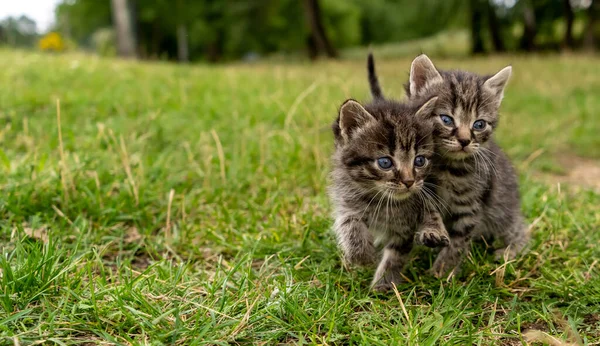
389,271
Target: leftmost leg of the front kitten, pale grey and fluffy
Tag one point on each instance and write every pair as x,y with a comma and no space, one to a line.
355,240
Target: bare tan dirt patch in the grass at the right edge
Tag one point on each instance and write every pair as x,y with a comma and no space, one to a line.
580,172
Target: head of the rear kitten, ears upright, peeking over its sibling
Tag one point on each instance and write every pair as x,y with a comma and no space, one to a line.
467,110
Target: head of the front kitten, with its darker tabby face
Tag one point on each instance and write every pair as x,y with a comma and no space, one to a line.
384,148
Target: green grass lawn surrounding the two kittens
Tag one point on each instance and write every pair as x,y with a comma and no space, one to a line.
188,206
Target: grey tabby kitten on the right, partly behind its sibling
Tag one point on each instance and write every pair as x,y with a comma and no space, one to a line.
475,179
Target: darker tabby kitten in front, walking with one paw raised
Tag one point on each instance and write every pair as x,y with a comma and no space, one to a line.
382,156
